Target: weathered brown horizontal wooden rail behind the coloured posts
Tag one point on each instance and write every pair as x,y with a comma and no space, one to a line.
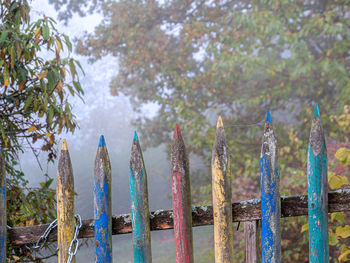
338,201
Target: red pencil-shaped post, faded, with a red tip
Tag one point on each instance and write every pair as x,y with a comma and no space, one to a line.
182,209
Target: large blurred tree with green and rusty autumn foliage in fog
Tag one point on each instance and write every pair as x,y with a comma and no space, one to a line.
197,59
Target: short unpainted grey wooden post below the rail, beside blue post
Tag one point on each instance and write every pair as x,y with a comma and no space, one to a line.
252,241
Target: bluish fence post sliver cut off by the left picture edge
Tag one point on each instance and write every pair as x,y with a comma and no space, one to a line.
3,219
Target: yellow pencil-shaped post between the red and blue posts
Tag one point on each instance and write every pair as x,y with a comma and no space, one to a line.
222,195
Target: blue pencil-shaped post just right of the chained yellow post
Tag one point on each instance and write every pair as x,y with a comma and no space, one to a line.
103,205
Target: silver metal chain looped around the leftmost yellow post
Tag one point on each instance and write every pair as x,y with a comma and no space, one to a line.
73,245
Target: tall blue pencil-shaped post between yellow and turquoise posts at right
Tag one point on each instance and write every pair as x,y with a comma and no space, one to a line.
270,197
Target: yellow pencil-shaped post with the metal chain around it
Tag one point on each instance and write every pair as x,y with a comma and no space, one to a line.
65,204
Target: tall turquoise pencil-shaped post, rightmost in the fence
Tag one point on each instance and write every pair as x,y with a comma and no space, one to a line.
317,192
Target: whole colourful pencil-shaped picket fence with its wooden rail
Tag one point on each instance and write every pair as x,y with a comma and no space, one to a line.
317,204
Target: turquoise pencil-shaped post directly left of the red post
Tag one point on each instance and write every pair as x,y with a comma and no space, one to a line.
139,205
